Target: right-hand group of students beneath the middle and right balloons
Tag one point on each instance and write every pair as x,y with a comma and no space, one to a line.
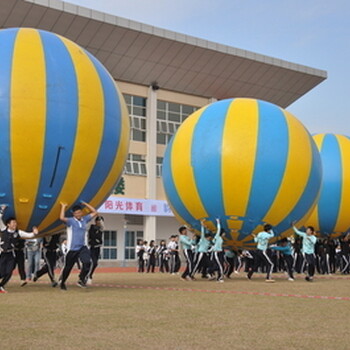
206,255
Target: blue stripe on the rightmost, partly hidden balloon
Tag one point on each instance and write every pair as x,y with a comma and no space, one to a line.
329,203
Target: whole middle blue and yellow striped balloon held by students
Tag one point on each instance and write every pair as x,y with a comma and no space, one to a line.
245,161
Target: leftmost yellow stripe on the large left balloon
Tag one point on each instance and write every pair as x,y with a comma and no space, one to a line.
28,90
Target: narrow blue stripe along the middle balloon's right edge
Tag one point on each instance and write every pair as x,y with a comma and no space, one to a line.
309,195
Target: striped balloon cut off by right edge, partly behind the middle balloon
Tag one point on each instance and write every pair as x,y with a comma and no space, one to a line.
332,213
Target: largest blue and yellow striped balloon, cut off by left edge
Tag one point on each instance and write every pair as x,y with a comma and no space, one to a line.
64,127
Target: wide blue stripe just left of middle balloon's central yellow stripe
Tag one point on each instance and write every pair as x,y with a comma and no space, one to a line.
206,156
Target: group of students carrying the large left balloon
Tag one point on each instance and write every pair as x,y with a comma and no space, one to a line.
82,245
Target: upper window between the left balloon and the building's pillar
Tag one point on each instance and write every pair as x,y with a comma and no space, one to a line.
137,111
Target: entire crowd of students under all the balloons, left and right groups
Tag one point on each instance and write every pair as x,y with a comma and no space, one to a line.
205,254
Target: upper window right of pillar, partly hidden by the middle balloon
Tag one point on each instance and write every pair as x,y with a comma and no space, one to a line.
169,117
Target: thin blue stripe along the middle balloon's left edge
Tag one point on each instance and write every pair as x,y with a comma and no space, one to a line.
170,189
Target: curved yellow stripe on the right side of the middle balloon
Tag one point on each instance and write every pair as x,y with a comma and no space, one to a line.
295,177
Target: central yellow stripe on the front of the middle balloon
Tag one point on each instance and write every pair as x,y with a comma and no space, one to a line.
241,128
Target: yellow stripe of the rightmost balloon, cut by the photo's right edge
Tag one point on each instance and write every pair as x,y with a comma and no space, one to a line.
343,216
